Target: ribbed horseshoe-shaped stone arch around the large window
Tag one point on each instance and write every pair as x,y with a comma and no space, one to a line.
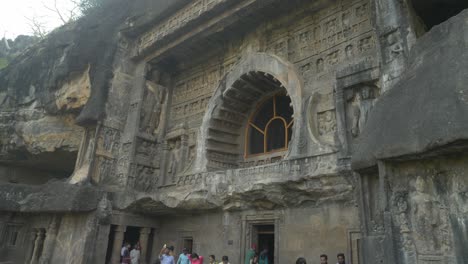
257,77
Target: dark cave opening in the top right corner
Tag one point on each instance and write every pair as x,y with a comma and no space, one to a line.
434,12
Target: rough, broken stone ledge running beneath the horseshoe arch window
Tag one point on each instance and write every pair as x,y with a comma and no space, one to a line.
313,180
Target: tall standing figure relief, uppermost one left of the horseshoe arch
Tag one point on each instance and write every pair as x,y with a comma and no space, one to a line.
154,99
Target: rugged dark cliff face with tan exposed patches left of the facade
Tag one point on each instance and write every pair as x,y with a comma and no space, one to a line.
51,87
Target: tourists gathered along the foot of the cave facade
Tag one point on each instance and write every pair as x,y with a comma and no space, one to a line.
166,256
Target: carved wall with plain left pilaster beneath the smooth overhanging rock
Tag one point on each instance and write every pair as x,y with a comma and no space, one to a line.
420,209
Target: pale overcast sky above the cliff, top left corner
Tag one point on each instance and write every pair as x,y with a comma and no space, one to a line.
14,15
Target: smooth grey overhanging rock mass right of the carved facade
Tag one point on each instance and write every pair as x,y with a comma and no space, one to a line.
428,108
